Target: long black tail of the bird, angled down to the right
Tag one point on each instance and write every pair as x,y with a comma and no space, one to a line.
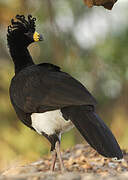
94,130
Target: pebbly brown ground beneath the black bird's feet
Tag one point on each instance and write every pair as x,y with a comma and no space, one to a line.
81,162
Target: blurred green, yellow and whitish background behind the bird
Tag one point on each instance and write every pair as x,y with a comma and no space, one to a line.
91,45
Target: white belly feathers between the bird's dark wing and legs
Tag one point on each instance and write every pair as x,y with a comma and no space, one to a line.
50,122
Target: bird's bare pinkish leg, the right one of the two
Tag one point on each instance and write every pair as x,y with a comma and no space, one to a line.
57,148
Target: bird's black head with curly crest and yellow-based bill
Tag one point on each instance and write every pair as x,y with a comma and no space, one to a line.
22,32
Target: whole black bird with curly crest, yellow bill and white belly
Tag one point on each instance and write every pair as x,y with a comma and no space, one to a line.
49,100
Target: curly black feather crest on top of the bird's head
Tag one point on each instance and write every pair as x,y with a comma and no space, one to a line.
22,24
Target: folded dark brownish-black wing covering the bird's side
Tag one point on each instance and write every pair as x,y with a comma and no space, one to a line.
39,89
